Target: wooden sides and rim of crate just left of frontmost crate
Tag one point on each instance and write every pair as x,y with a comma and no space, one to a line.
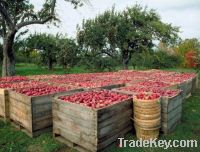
33,115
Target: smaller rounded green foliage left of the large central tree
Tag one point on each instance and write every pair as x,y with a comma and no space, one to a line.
49,49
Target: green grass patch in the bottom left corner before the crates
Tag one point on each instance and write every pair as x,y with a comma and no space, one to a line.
12,140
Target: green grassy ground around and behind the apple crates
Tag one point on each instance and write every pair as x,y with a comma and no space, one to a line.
12,140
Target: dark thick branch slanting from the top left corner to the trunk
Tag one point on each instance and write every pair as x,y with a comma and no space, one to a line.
5,15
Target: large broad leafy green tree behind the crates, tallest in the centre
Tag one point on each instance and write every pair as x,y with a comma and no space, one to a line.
124,33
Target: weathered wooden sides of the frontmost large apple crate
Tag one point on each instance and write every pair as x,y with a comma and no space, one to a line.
91,130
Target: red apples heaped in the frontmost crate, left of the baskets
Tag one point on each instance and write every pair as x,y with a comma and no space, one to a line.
95,99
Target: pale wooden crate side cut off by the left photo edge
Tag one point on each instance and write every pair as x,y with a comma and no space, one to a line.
4,104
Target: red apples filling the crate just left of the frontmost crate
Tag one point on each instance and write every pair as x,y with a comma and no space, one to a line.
42,90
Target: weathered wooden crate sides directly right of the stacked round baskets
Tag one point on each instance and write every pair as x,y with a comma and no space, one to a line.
171,112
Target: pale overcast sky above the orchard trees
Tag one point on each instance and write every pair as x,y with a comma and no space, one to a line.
182,13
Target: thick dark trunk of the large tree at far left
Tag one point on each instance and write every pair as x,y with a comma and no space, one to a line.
8,66
